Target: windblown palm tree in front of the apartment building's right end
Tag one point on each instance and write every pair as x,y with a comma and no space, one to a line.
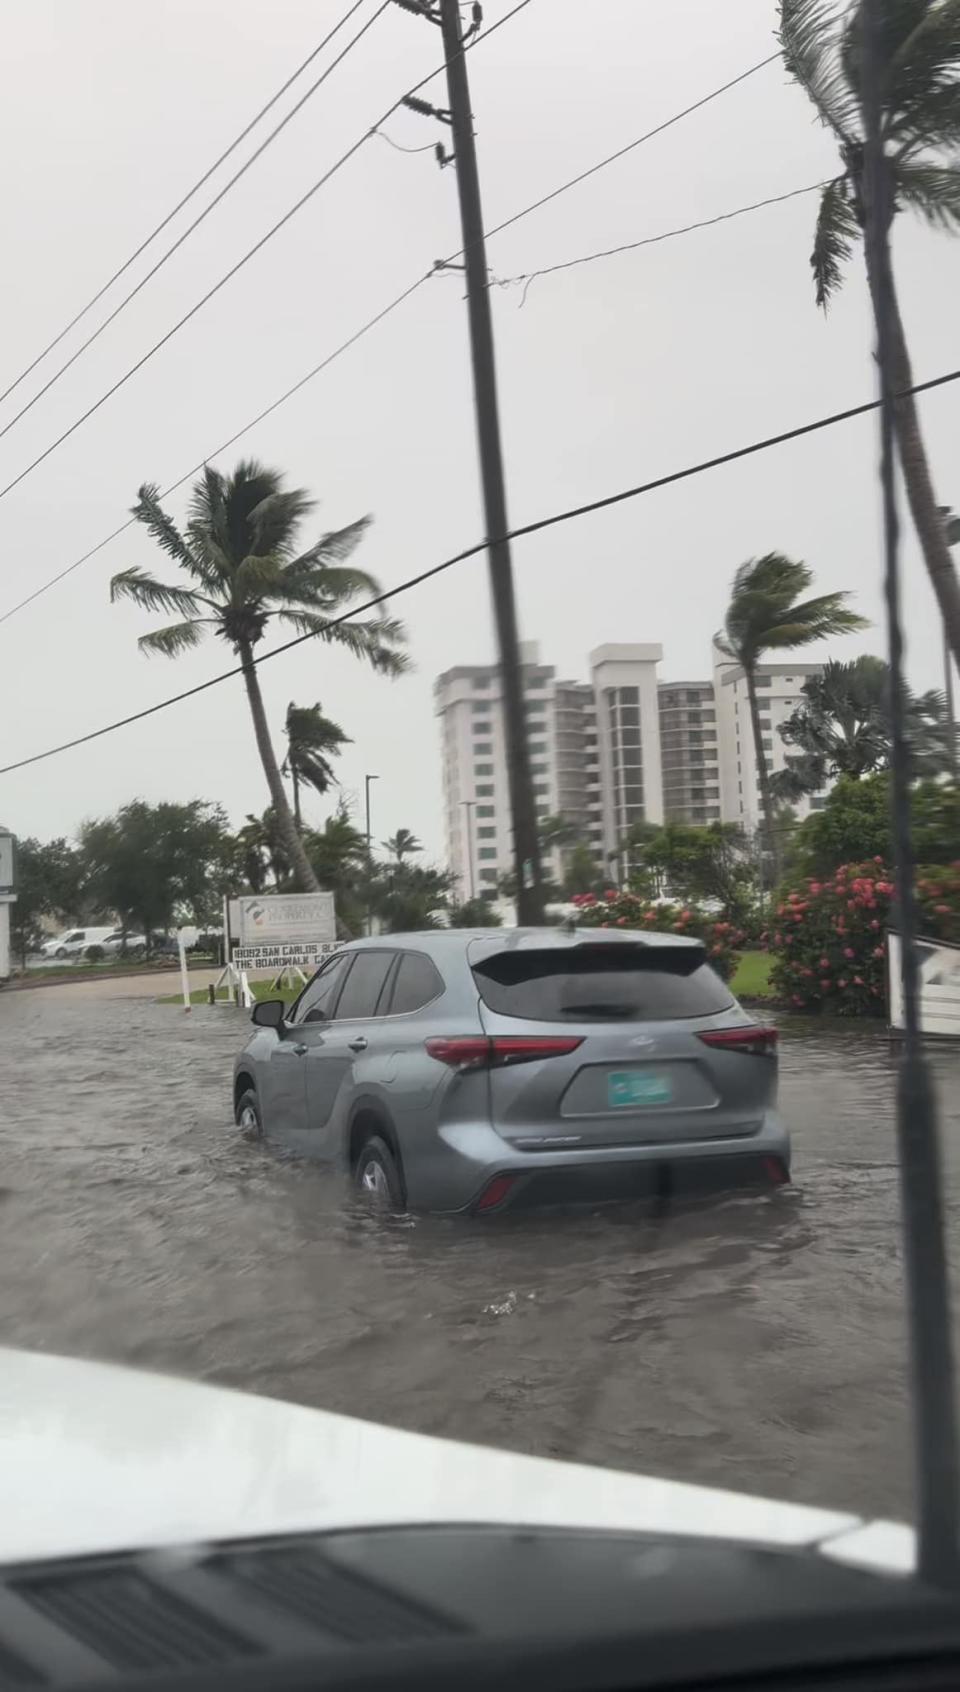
768,615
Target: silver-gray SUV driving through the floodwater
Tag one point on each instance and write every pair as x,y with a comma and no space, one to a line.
487,1070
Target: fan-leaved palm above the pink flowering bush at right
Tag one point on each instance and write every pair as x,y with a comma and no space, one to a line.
844,728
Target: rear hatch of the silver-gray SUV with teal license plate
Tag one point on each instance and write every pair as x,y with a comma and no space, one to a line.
641,1045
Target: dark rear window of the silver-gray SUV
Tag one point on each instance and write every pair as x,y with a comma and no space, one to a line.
629,984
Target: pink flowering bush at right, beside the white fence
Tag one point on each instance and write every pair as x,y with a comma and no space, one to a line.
829,937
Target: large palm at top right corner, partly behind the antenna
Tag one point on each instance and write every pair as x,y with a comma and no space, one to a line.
920,129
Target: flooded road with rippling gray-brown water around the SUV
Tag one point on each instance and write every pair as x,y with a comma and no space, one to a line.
754,1343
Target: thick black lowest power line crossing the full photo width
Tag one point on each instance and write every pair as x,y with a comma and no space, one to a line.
472,552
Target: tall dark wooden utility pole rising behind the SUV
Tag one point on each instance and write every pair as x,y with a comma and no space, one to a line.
522,806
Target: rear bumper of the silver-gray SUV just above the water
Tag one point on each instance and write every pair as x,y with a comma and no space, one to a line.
470,1158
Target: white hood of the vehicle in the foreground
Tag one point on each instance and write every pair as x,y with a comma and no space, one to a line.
97,1458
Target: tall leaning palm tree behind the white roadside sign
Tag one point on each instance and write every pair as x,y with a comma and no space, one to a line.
240,551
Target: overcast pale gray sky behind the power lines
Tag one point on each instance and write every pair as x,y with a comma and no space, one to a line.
610,375
